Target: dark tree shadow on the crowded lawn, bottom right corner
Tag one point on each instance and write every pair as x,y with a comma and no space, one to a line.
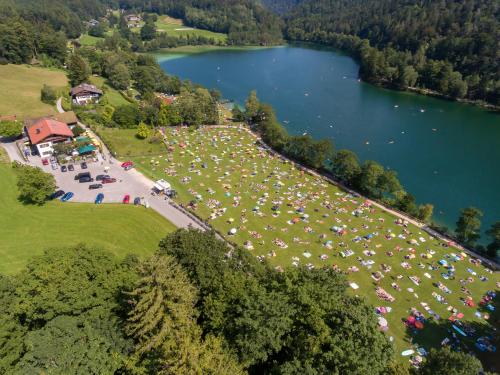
436,332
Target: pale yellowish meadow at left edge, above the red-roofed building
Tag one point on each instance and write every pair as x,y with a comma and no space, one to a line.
21,85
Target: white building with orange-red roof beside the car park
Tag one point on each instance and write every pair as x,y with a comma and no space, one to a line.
46,132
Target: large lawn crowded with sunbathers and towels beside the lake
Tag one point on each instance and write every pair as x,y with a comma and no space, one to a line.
236,185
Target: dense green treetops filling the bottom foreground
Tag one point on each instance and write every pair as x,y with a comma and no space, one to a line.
194,307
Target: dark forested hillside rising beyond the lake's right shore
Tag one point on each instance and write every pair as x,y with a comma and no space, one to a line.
448,46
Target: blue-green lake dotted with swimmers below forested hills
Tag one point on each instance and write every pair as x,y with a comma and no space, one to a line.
445,153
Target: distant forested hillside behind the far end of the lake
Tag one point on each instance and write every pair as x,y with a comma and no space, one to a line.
245,21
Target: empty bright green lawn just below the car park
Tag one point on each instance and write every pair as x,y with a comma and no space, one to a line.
26,231
